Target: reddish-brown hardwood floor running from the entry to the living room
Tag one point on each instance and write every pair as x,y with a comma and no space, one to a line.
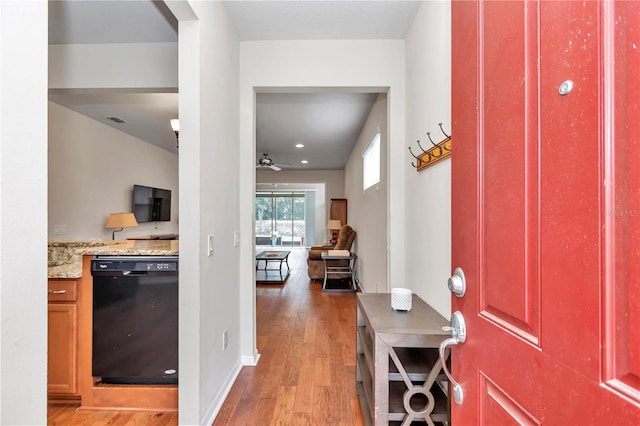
306,373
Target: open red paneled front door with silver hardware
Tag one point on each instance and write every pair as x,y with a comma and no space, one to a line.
546,211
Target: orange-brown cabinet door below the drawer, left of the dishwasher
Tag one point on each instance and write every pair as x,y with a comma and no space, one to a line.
62,348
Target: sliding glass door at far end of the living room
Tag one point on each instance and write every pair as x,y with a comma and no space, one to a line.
280,218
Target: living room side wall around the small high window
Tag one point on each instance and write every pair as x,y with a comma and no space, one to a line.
368,209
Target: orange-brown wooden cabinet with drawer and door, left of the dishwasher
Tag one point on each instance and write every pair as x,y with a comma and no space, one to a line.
62,373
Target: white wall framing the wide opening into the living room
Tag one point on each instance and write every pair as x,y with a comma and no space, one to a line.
368,65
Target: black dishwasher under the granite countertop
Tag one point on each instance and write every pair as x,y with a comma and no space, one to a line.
135,319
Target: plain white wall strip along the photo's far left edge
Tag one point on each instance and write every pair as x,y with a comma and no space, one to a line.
23,213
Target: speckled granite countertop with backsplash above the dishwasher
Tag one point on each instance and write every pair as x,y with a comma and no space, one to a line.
72,267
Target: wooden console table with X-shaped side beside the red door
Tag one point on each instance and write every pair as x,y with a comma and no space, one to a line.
399,375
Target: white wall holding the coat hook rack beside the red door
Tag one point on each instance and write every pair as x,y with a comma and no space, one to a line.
428,200
